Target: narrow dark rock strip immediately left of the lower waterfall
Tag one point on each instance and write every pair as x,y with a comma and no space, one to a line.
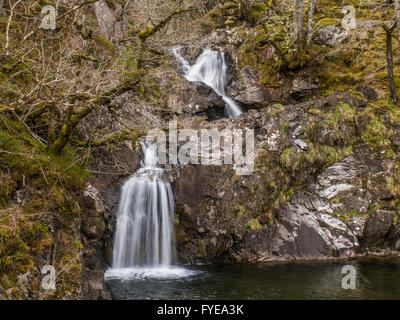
100,206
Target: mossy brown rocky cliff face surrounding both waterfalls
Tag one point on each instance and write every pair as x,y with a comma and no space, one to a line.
326,183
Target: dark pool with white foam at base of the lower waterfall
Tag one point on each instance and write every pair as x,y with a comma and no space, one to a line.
376,279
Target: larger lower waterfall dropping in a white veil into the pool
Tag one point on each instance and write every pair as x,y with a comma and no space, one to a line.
145,234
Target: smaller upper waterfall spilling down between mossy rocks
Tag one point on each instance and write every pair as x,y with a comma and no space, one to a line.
210,69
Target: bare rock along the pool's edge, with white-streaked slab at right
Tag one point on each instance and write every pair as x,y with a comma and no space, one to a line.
305,227
